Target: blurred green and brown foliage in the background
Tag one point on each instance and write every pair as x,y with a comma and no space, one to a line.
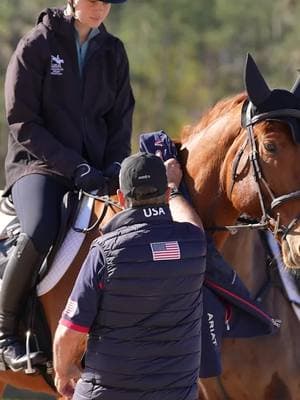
184,55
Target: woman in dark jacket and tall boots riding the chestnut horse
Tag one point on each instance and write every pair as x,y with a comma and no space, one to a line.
69,127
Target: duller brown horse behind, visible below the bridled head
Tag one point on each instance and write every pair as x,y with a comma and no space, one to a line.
268,367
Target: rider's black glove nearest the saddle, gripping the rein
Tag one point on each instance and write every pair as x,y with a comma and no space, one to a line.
89,178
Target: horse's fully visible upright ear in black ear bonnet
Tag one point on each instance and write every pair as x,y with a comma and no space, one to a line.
256,87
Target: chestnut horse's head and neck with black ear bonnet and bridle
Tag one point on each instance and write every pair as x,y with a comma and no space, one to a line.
254,166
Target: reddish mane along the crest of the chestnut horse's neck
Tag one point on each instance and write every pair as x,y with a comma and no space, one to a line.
217,111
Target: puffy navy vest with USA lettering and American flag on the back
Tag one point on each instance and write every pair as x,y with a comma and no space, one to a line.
147,336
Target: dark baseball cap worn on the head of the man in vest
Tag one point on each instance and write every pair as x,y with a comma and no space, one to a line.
143,176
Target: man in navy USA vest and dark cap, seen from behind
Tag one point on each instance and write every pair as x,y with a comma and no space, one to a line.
138,297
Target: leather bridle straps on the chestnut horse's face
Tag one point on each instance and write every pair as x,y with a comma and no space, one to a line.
267,221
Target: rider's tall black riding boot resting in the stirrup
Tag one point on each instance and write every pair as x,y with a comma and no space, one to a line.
18,278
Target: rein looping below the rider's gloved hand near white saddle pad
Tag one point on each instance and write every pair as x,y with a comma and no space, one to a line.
108,203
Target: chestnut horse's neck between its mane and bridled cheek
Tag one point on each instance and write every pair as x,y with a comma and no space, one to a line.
206,164
